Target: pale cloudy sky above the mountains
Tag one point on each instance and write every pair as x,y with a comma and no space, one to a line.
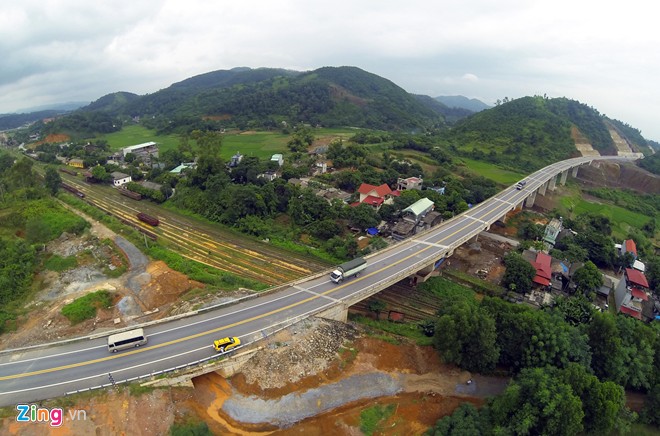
602,53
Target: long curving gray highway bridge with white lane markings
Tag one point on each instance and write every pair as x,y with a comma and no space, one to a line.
30,375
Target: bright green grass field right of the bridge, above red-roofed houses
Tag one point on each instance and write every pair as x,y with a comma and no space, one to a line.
622,219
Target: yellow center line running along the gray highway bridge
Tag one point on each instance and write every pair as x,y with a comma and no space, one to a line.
244,321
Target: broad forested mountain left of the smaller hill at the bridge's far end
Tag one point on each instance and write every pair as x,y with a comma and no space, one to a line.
264,97
